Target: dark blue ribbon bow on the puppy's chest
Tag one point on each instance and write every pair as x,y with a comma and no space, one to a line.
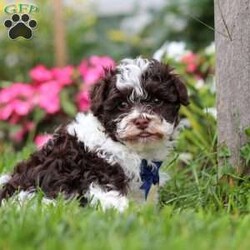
149,174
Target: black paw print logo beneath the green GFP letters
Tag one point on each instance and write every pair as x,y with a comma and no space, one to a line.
20,26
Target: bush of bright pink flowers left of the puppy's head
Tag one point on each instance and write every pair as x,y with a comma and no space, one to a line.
28,108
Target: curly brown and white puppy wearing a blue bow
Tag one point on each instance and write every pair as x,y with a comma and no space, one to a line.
114,152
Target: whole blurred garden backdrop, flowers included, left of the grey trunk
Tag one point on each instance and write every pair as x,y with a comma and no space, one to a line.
44,81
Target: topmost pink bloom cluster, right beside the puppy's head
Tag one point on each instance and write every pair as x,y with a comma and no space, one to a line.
92,69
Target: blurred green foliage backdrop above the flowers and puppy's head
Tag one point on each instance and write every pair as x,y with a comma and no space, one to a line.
104,27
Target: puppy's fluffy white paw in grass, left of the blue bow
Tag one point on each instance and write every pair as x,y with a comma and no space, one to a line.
107,199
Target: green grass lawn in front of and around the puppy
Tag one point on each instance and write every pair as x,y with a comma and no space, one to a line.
197,211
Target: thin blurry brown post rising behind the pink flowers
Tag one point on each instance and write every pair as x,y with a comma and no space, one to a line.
59,34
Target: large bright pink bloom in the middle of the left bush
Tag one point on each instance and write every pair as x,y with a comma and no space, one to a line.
48,97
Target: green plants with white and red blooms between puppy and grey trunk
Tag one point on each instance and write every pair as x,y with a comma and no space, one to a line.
197,71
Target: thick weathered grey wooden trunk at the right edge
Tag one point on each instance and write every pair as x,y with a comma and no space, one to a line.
232,38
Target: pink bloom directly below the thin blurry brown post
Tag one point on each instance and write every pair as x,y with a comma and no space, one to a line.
63,75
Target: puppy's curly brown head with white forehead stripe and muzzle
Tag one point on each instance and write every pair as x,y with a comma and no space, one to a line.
138,102
